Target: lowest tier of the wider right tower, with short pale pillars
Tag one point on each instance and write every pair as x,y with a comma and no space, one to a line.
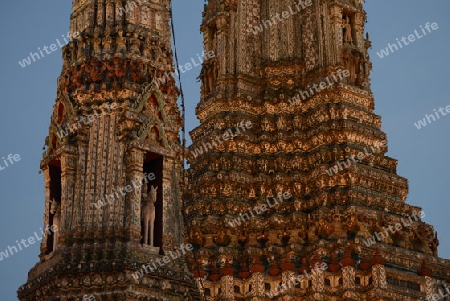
369,279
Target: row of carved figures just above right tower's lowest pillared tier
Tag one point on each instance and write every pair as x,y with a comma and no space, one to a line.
413,234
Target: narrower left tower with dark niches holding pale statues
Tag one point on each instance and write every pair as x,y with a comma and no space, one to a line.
112,163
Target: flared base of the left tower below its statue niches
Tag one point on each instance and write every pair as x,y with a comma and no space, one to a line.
108,272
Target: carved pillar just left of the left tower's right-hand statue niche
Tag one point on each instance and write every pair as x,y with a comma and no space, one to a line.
134,162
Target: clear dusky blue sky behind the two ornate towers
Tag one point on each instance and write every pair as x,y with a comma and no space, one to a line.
407,85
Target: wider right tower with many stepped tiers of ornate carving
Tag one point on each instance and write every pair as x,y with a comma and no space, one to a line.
303,203
